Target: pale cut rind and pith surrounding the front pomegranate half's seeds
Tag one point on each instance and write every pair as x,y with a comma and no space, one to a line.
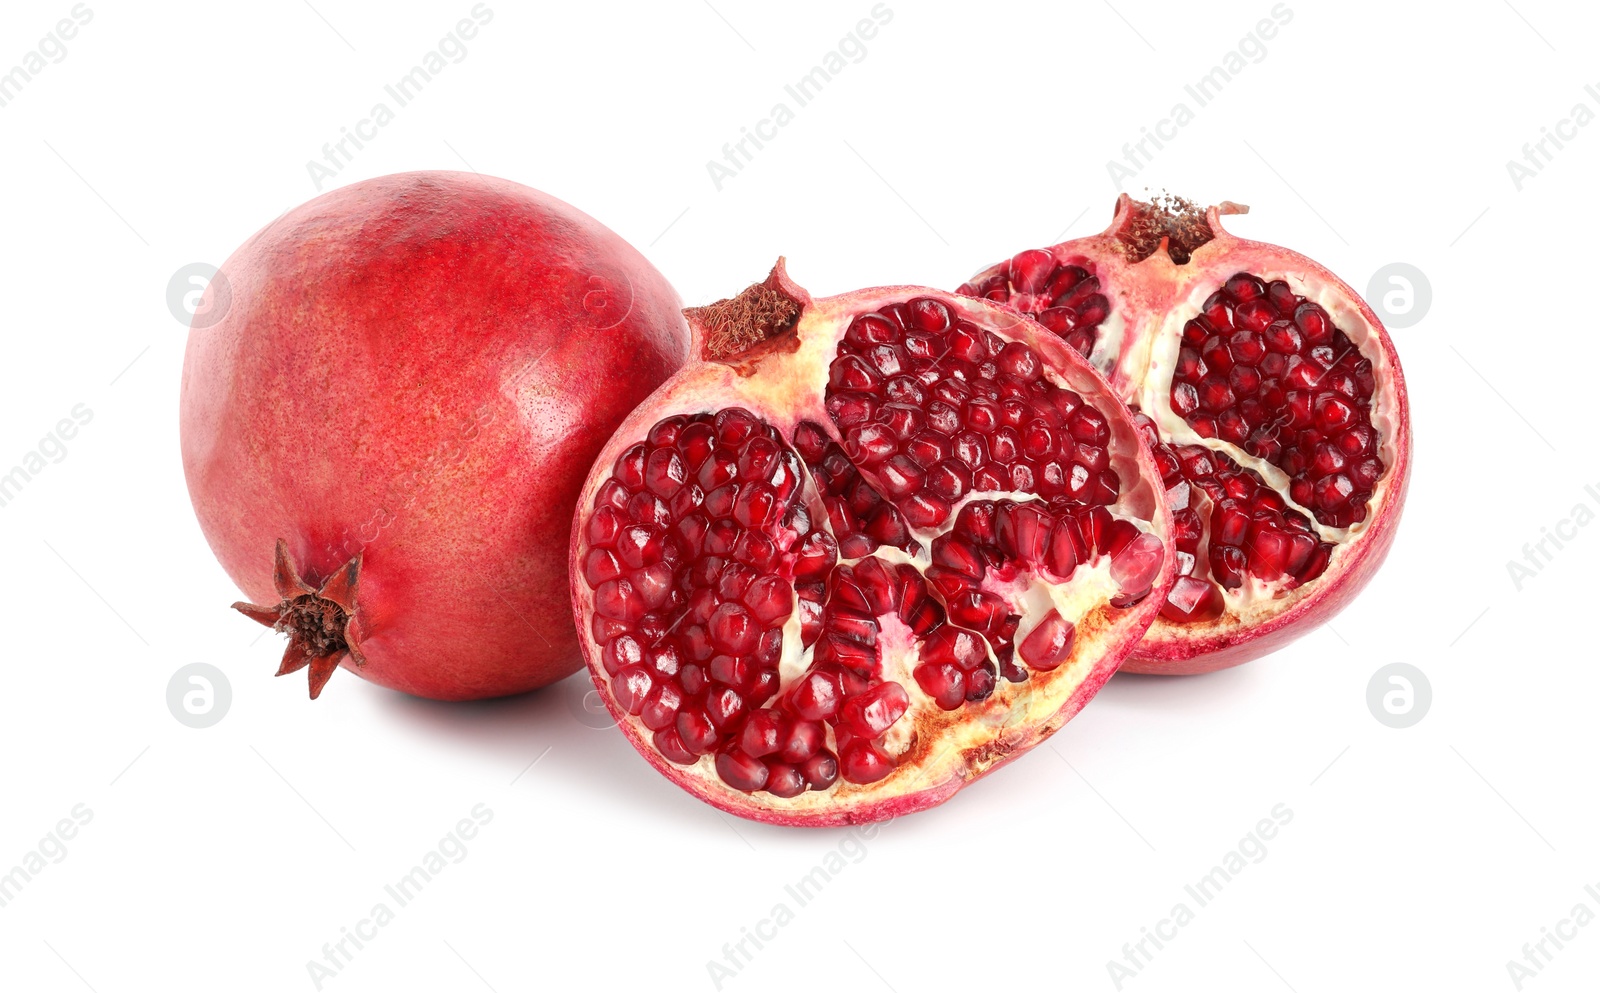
785,388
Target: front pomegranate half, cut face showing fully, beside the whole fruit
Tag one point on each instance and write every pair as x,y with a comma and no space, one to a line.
862,551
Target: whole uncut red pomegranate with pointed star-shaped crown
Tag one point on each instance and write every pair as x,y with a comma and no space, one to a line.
386,433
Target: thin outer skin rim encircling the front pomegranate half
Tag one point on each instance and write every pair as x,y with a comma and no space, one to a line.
710,385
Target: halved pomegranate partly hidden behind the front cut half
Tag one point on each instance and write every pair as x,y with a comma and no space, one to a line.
1273,399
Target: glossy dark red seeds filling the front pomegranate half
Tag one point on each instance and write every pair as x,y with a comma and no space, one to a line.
702,548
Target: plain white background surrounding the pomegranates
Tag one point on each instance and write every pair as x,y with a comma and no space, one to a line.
1370,134
